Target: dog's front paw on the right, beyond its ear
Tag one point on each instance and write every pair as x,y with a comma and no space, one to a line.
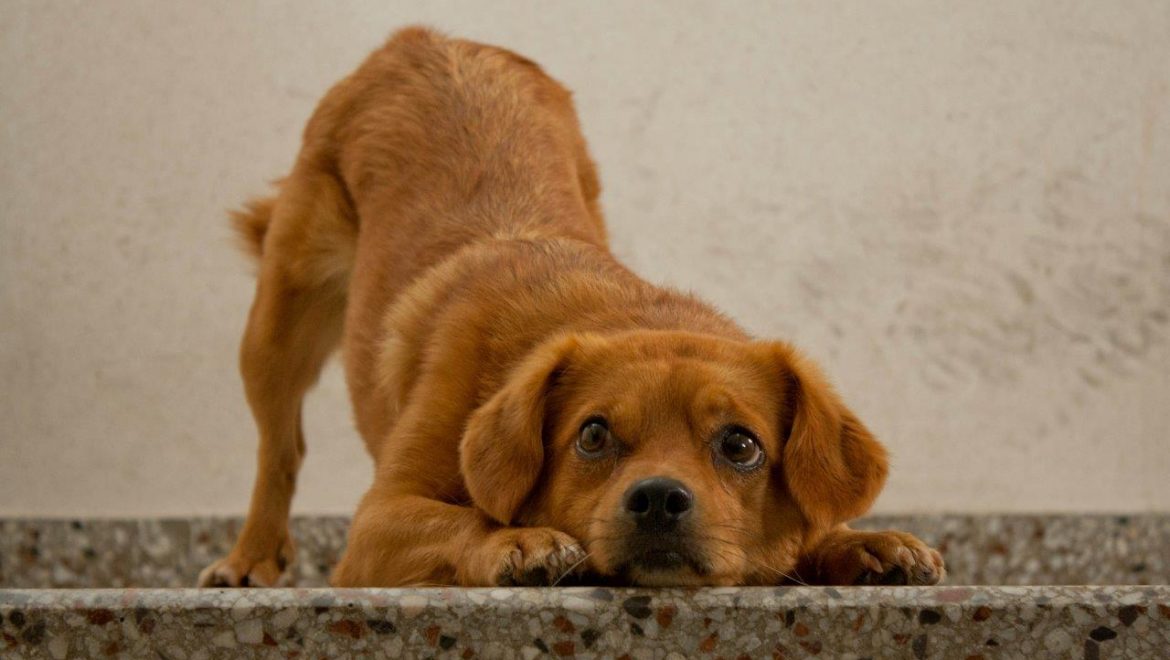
878,559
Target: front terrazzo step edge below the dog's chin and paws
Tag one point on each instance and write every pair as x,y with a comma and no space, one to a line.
602,623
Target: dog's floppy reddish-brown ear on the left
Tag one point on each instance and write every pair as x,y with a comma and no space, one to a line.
503,450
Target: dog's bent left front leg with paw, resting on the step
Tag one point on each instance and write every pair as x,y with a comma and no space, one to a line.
417,525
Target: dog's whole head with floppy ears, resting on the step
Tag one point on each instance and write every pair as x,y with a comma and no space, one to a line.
676,459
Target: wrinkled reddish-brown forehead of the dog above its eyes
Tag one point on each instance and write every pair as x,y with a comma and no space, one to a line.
656,383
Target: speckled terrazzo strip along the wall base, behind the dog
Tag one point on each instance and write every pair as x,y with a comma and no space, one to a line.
996,551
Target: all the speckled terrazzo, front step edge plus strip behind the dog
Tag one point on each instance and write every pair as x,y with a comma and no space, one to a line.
948,622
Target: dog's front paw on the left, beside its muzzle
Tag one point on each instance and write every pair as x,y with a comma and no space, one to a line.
533,558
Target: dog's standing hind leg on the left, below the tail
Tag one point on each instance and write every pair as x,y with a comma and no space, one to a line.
295,324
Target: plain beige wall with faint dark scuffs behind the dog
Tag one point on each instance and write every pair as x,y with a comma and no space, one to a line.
962,209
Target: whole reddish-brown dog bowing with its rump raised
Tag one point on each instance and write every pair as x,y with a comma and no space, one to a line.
534,409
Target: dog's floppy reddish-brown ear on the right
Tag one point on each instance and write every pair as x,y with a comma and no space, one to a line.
832,465
